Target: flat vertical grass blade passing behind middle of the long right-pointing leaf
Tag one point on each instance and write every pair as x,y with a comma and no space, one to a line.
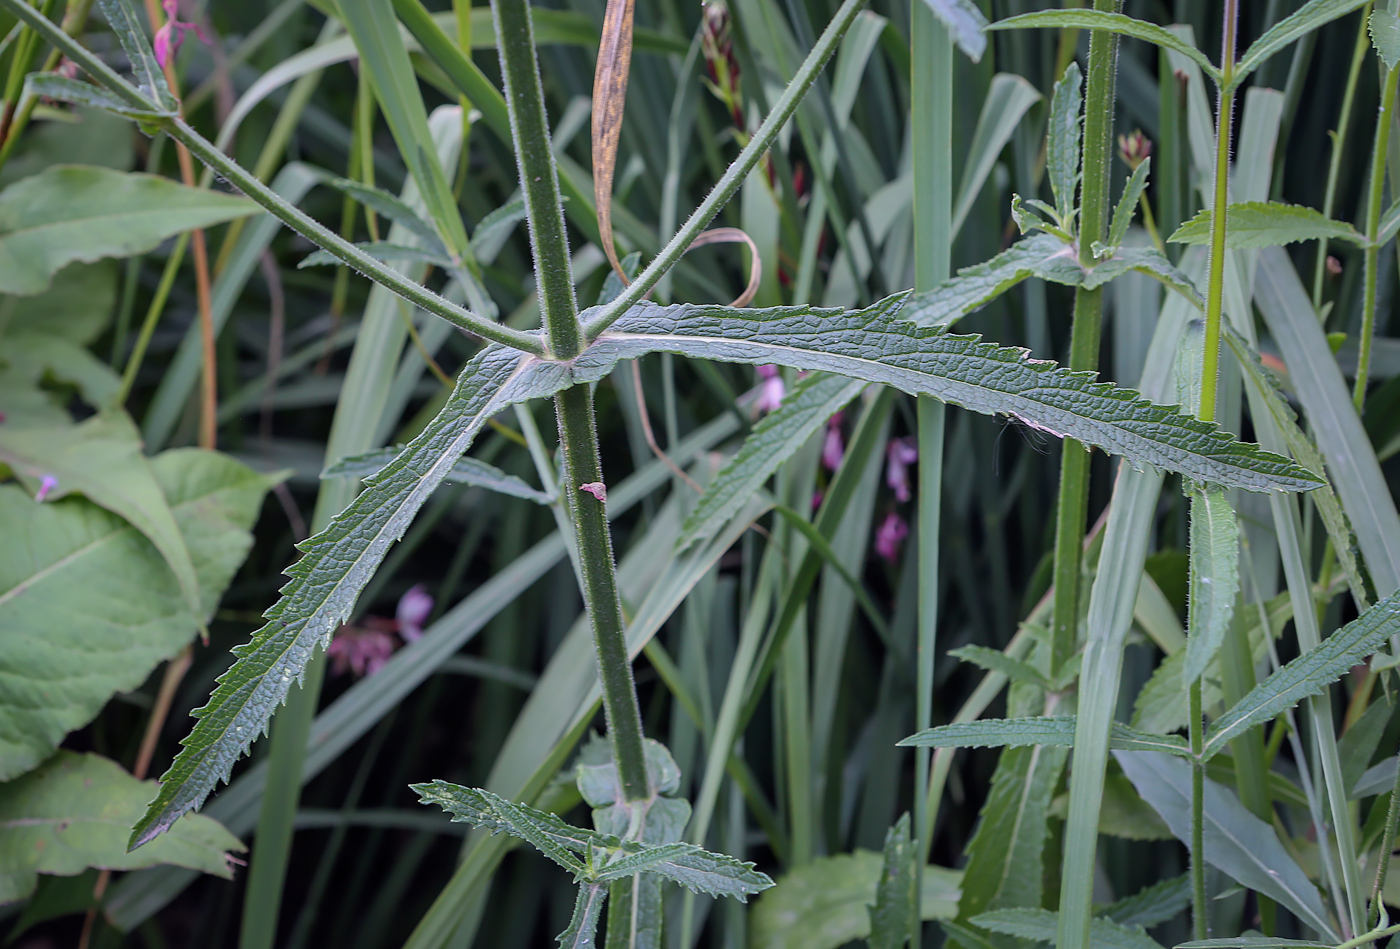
932,113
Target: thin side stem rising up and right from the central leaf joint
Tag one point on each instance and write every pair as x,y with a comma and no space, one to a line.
734,176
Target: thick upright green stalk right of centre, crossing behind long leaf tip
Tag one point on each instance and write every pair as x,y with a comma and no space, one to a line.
1084,337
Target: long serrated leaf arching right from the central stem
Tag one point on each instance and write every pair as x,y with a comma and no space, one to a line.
877,346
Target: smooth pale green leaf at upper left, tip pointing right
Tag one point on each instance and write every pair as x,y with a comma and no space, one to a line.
83,213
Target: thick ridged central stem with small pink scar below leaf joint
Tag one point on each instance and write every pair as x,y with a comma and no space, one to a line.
577,433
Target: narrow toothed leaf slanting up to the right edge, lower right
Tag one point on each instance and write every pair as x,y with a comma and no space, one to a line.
1310,674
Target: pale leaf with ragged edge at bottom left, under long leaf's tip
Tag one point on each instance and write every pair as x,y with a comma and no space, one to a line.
72,813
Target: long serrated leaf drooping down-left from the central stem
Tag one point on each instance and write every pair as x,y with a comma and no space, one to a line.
327,582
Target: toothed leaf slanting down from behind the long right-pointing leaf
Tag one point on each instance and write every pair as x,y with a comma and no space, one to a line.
806,409
